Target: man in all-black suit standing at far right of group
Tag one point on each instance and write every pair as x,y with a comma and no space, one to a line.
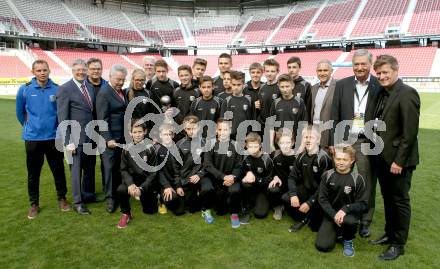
399,108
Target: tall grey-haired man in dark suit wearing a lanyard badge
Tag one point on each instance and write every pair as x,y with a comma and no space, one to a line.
355,100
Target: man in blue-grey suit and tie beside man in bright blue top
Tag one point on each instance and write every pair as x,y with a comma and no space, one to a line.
75,102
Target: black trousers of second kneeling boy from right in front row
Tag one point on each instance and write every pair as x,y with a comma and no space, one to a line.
313,216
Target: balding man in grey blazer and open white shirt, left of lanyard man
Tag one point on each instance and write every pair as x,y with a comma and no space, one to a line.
322,99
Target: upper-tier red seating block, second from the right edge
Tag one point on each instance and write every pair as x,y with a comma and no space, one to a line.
378,15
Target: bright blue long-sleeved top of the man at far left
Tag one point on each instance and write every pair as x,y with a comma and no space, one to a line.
36,110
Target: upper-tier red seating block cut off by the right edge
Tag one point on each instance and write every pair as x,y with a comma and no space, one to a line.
426,18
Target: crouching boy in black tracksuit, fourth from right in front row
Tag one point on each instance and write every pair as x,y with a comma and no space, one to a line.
258,169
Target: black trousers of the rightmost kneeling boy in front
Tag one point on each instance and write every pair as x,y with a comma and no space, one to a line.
329,231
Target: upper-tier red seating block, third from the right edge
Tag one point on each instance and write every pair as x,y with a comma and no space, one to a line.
333,20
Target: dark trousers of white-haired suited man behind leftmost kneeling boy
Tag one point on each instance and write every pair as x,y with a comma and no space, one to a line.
112,173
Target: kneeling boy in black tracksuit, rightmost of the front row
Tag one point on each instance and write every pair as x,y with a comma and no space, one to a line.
343,198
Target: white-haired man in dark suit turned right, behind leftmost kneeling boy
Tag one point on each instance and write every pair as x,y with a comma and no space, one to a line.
111,104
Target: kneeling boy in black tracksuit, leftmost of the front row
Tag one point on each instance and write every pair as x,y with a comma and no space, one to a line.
137,181
